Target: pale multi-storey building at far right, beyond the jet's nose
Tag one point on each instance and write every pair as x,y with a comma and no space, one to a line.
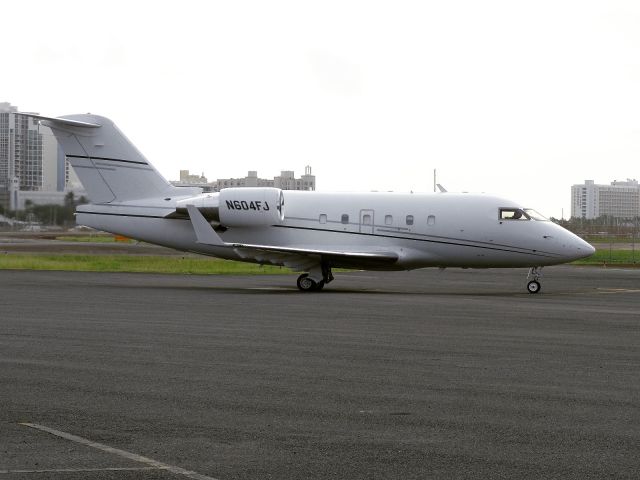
618,200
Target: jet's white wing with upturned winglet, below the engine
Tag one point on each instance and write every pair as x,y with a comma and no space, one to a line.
299,258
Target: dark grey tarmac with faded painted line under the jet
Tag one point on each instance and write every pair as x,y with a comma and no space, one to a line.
403,375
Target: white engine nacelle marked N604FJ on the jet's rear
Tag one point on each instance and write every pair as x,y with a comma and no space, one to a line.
249,207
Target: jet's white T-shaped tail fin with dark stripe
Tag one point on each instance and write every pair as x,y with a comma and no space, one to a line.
109,166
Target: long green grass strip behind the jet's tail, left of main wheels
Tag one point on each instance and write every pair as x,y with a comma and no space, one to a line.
136,263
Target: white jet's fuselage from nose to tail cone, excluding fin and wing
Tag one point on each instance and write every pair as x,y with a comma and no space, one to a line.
425,230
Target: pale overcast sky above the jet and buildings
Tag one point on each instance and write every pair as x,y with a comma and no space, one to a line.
521,99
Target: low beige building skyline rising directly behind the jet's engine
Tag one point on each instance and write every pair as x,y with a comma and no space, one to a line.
285,181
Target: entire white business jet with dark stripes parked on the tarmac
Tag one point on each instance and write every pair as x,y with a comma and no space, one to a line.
309,232
